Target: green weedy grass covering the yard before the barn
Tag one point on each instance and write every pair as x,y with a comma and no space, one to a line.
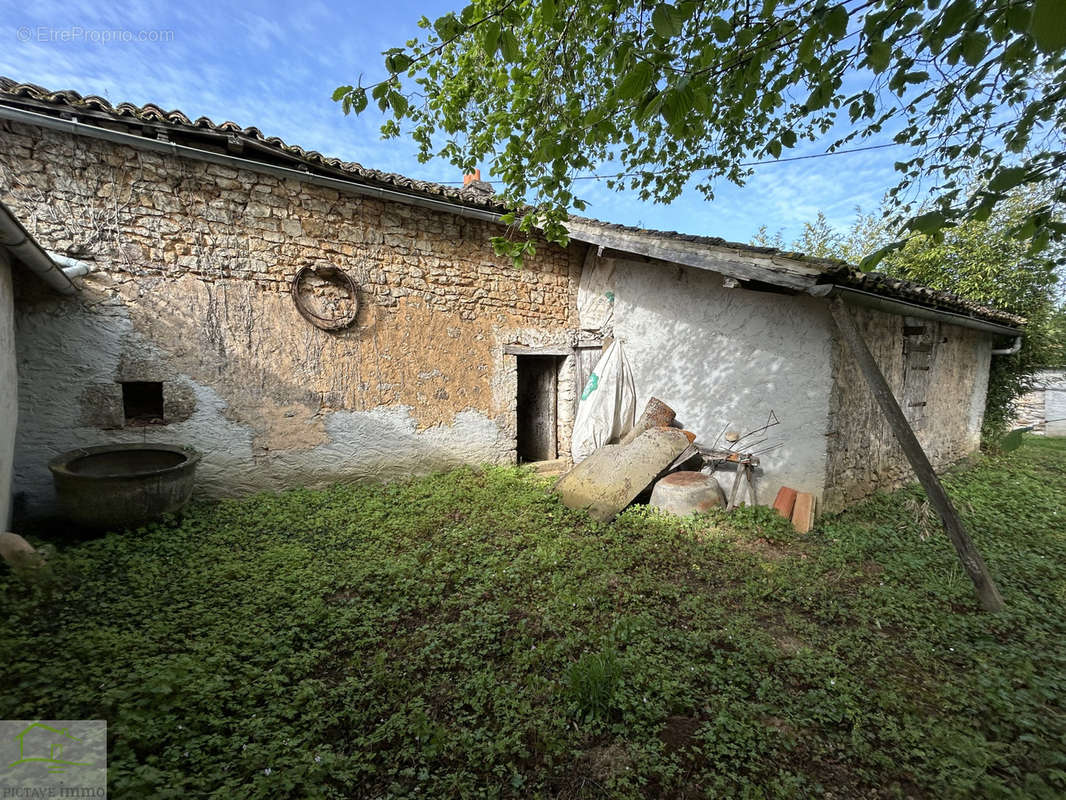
465,635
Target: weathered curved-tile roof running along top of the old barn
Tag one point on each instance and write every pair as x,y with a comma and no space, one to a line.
142,120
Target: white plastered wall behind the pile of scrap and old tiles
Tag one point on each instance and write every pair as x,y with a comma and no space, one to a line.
723,359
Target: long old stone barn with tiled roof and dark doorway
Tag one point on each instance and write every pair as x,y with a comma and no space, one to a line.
300,321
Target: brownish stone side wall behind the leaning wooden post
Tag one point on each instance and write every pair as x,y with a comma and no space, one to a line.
864,455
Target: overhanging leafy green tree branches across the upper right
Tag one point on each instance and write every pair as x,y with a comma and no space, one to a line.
658,93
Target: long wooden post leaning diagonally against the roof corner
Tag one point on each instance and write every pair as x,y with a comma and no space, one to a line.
975,566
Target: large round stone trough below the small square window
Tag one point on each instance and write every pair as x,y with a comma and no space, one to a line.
123,486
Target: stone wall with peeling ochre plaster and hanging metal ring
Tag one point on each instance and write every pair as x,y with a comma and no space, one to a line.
192,290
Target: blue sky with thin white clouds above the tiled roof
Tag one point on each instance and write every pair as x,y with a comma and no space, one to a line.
274,66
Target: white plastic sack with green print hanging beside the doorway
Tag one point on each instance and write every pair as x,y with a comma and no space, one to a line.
608,406
